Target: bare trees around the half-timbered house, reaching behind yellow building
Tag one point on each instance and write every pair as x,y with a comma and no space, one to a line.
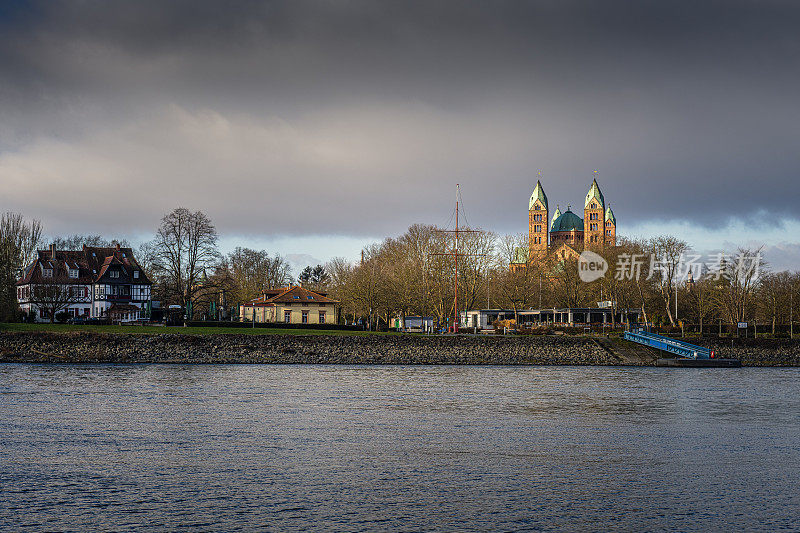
182,260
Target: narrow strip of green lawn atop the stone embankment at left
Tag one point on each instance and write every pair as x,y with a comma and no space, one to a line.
156,330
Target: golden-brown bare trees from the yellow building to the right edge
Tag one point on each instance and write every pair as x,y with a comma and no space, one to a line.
408,275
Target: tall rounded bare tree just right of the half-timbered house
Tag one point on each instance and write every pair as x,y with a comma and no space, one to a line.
185,245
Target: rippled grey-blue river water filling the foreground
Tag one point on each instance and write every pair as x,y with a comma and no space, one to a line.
285,447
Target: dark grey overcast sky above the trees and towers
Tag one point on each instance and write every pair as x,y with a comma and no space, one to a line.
316,127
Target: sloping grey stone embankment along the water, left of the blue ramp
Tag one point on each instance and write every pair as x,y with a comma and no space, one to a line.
76,347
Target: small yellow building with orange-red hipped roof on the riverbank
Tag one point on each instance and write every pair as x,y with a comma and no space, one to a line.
291,305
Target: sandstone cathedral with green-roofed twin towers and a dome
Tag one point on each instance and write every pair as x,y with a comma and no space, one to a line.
567,233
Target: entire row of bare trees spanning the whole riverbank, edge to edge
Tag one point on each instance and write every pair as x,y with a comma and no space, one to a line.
414,274
